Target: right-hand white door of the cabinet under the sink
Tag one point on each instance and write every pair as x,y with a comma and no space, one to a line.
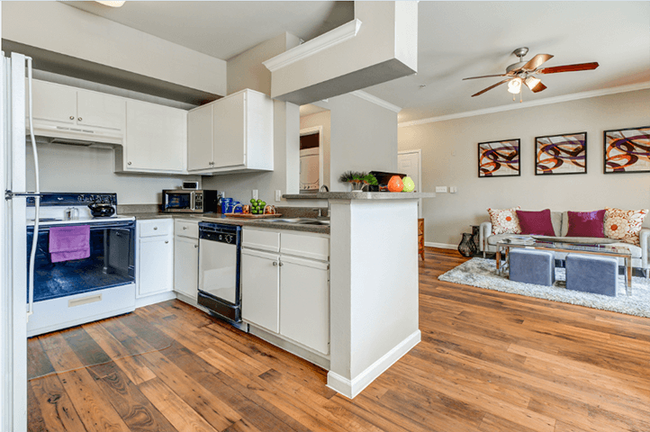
304,303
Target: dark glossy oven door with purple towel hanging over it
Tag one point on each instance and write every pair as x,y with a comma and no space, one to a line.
111,262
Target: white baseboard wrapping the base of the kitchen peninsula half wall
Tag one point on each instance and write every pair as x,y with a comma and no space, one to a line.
352,387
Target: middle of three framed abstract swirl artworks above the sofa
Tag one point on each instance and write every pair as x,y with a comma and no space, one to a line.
561,154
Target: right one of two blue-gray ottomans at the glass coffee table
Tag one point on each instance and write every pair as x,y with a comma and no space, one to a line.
592,273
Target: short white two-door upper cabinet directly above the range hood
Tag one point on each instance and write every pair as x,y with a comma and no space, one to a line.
61,104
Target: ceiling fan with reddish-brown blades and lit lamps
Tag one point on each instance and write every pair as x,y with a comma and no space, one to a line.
523,73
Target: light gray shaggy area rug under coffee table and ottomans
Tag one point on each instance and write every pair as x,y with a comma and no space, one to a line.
481,273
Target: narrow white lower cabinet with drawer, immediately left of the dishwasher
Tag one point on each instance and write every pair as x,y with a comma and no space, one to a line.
186,258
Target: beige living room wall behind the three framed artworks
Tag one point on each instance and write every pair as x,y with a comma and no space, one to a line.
450,157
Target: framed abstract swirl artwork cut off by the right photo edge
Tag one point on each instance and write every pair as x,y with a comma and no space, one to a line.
627,150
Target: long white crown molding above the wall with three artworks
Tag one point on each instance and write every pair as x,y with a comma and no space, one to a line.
529,104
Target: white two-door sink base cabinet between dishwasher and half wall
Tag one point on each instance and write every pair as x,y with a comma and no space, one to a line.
285,294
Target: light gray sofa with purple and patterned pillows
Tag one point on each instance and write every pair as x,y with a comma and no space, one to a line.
640,260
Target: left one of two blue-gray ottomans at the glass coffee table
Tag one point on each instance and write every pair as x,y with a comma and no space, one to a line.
532,266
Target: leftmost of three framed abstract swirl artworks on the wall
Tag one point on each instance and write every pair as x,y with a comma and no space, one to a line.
499,158
